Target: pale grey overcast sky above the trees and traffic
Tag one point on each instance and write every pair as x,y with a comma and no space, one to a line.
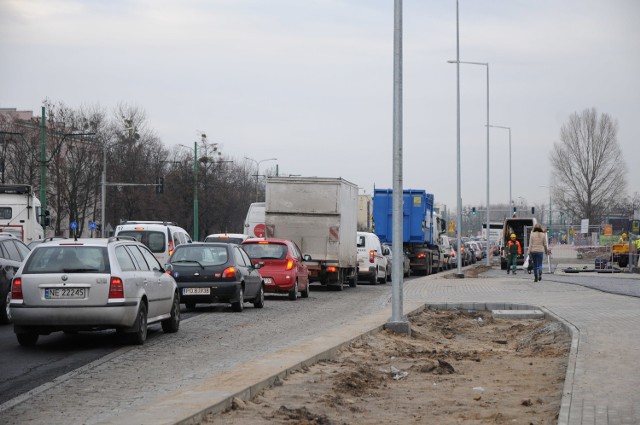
310,81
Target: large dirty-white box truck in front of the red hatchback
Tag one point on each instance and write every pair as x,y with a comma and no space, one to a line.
320,215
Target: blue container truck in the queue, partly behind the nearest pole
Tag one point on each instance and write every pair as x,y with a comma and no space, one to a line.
417,227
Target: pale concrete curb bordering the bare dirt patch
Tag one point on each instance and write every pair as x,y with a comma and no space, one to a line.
192,405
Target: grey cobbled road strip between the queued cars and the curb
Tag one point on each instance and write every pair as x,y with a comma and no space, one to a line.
206,344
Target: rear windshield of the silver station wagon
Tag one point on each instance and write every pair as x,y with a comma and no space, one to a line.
68,259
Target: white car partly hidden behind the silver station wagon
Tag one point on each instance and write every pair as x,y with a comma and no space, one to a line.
160,237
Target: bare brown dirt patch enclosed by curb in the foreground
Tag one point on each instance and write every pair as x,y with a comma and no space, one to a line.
455,368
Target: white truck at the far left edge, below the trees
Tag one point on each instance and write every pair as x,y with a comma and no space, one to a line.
20,212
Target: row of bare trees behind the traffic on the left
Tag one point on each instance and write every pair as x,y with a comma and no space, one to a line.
79,140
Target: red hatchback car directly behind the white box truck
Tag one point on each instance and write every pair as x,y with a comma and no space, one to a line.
283,270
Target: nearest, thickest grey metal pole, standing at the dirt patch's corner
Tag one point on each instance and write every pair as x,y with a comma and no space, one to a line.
397,322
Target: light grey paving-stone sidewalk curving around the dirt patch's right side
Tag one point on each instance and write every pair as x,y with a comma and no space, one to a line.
606,378
